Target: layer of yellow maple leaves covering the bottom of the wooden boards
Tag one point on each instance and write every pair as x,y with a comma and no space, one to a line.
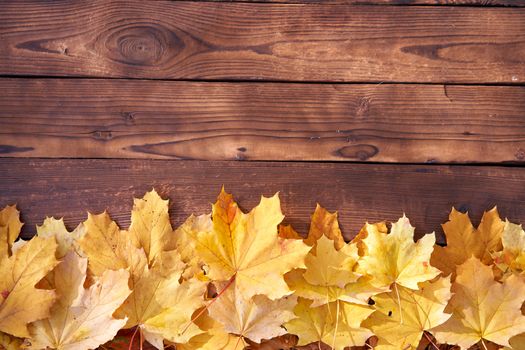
230,280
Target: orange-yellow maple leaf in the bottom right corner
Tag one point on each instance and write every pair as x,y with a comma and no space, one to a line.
482,308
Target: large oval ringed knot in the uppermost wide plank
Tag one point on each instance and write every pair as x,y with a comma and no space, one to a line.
144,45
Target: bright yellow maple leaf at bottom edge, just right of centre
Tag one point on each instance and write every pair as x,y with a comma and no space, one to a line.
337,324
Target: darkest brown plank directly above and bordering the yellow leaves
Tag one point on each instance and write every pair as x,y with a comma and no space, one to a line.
360,192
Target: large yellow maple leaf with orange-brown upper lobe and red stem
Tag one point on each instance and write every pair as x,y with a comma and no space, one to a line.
246,247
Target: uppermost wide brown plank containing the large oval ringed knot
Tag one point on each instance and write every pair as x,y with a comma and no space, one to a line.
257,41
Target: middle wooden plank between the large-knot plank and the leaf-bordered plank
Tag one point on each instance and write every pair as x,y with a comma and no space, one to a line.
261,121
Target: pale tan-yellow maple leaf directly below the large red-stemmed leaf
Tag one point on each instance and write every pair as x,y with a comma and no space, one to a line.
256,318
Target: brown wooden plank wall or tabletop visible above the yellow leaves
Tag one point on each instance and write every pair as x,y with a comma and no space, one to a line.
369,107
